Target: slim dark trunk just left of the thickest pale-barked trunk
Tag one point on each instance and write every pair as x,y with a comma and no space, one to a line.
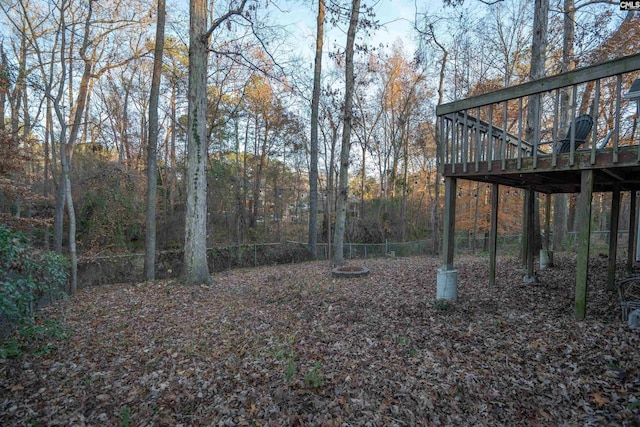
152,150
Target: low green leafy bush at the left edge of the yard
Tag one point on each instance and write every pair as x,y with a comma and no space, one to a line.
26,276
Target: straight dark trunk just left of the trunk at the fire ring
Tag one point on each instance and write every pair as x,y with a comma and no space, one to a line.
313,161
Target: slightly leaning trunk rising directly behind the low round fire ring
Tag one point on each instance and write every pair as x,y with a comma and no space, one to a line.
343,180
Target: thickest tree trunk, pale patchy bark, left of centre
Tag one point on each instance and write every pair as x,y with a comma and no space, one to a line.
196,270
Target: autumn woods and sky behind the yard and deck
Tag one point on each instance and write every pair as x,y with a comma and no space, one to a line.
75,81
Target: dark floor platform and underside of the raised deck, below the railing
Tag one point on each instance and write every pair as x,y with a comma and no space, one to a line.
561,178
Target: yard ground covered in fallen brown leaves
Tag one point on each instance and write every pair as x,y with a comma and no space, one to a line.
290,345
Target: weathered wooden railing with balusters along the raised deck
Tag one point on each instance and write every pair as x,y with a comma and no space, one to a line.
498,126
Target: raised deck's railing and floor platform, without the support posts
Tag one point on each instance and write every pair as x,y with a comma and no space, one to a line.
483,138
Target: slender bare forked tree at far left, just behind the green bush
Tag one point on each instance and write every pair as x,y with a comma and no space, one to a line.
89,52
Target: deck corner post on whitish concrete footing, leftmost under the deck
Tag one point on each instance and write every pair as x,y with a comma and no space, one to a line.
447,280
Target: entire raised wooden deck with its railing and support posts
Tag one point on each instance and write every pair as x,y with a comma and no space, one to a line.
511,137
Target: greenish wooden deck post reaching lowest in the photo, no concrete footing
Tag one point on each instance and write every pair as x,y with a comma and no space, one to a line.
583,227
